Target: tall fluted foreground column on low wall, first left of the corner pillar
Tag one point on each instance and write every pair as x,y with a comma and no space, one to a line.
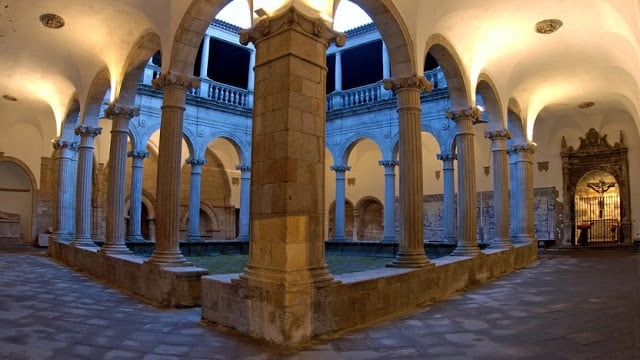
175,86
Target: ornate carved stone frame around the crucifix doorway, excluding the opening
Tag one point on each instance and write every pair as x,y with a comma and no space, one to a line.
594,153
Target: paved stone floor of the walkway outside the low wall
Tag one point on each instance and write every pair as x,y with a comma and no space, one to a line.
569,305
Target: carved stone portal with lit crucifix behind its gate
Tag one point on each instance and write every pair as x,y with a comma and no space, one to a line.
596,192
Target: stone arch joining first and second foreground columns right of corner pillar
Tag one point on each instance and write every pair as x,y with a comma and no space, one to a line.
452,67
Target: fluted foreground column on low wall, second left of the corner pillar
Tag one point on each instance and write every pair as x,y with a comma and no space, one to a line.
116,176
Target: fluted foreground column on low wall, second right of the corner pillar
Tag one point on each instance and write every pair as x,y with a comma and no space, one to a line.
466,214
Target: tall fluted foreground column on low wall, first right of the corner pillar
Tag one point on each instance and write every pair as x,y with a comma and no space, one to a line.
411,252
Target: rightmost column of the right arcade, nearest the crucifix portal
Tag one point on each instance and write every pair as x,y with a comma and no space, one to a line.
522,193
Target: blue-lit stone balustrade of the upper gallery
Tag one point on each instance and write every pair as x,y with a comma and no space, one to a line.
356,97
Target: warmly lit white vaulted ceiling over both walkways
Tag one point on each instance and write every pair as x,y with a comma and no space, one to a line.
595,56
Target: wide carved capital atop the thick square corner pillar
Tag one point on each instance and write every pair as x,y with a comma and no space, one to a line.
288,20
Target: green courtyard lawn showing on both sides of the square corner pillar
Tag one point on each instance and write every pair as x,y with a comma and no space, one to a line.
338,264
